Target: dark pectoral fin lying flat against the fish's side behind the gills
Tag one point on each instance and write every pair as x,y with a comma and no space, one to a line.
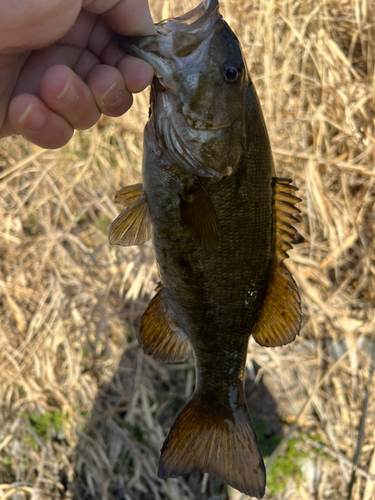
199,215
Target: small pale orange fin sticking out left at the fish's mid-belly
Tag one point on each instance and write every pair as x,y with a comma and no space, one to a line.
132,226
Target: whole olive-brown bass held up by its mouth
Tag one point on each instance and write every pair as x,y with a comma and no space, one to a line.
221,225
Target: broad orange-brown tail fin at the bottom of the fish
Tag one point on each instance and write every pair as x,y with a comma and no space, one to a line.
220,441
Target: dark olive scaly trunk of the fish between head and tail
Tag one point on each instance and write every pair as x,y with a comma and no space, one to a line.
222,290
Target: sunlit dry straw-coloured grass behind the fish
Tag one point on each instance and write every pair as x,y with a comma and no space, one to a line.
83,412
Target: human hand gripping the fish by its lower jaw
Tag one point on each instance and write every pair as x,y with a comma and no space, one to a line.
60,68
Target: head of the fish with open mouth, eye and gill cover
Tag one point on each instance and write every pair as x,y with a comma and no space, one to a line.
199,93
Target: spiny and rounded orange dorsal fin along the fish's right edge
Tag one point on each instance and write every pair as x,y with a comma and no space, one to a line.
280,319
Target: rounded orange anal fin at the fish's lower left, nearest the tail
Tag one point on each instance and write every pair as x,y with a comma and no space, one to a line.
159,334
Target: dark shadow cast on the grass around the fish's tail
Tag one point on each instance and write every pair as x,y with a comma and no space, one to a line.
118,452
